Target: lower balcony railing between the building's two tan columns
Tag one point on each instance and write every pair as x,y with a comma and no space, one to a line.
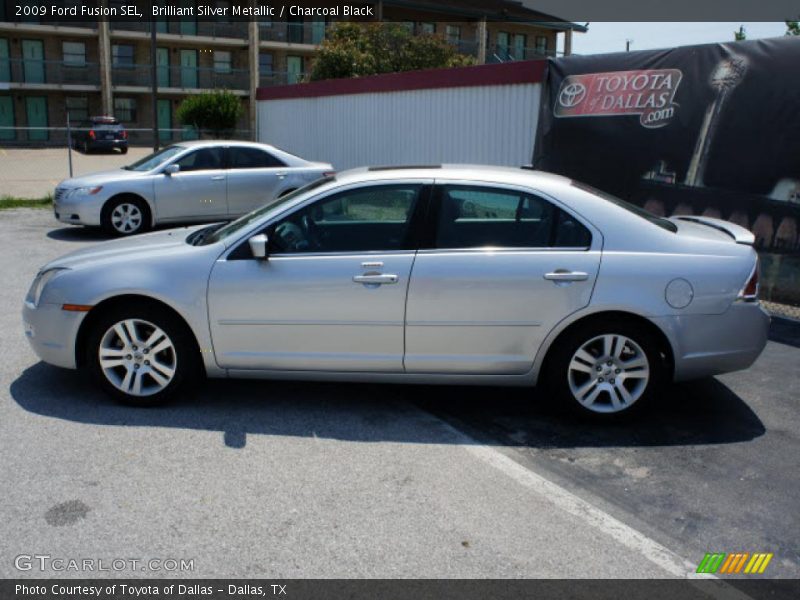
182,77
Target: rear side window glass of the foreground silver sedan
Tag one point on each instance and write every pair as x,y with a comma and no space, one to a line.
476,217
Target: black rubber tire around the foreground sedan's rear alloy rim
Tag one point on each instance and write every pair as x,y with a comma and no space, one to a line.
560,379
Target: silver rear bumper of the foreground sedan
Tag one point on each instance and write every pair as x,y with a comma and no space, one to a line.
705,345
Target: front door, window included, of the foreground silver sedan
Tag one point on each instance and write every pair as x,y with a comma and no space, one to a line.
331,295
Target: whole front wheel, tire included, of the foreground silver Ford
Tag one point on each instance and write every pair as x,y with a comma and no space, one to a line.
142,356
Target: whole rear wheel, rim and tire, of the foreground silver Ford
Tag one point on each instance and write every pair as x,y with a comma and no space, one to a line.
606,370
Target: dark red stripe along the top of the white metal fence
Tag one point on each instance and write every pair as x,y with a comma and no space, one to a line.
510,73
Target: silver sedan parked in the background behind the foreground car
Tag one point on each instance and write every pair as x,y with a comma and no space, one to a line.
187,182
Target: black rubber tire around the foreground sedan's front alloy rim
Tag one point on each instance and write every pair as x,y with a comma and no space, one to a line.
187,363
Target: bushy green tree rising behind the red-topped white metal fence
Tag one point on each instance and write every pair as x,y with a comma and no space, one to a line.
359,49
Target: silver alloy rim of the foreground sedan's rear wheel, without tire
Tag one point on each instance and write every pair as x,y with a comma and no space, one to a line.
608,374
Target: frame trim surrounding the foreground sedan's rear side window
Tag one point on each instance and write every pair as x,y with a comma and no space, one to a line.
428,245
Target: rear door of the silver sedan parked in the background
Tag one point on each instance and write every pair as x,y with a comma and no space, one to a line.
254,177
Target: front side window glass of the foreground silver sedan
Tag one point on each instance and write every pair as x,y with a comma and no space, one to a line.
376,218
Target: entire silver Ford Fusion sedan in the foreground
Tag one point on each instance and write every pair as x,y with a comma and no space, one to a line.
456,274
